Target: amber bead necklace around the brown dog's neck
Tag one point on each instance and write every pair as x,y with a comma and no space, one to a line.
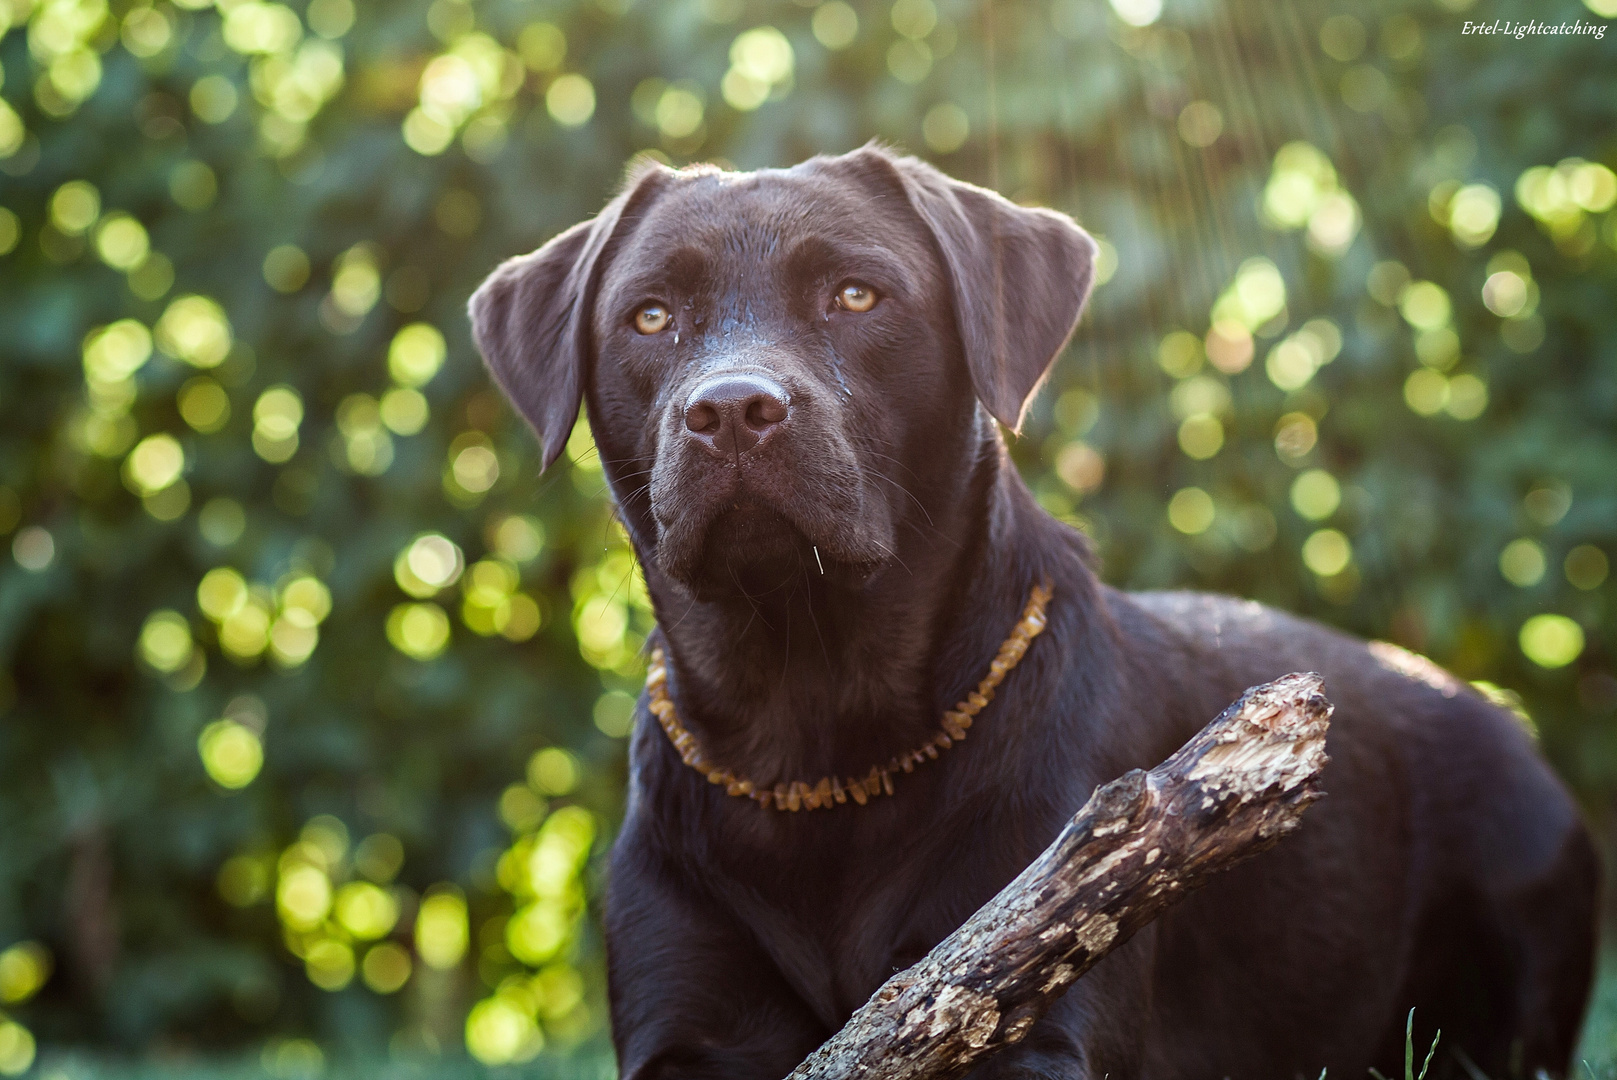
835,791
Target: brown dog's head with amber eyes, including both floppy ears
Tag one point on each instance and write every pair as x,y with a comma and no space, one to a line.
779,363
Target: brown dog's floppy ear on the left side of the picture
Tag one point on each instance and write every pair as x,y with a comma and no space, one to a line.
531,318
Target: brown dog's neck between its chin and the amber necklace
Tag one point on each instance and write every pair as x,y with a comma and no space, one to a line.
829,678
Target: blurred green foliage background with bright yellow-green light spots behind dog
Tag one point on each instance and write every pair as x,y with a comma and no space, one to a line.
315,691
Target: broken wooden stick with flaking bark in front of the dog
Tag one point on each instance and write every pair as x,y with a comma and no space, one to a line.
1139,845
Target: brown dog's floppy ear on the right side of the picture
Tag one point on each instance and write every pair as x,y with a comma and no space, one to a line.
1020,279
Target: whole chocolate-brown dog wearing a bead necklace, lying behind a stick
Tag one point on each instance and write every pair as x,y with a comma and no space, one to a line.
796,382
